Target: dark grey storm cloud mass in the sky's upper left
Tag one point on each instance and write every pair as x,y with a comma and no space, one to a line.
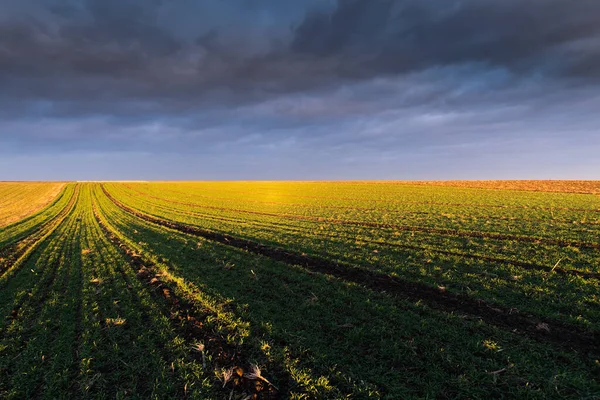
135,49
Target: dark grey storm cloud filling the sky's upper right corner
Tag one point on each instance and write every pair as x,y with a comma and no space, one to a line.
388,36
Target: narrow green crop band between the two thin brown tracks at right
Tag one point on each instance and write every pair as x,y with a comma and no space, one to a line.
523,253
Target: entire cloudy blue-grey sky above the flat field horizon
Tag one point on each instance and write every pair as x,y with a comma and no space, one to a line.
299,90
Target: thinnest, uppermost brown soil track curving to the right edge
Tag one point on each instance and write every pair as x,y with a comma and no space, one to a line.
405,228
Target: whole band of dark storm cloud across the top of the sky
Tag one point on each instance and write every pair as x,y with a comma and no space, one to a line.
131,48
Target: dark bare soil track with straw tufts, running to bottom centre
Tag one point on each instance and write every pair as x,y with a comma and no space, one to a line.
189,321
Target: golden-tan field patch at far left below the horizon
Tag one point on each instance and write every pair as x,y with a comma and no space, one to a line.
18,200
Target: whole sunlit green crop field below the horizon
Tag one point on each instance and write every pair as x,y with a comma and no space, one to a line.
300,290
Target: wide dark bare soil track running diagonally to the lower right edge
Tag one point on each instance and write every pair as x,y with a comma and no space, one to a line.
544,330
